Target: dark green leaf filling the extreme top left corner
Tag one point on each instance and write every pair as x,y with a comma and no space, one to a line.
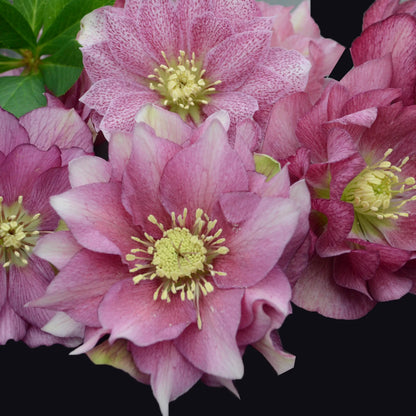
15,31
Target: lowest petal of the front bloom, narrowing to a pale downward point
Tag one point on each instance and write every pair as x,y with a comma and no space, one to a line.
171,375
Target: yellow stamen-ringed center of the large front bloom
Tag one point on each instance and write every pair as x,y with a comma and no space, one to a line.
182,258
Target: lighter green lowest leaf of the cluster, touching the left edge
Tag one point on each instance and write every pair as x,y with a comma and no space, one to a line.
19,95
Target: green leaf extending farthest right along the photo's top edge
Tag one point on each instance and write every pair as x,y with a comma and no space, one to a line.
67,22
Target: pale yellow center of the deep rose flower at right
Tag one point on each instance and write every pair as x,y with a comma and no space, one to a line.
377,190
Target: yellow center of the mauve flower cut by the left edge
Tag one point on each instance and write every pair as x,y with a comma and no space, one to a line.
18,233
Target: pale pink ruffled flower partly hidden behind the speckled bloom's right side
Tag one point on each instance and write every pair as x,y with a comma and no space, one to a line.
296,30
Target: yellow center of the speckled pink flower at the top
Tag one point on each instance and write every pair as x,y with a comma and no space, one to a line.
181,85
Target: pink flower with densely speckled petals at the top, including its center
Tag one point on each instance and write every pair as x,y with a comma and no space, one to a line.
192,57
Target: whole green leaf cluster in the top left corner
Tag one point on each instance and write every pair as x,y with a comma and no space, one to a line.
38,42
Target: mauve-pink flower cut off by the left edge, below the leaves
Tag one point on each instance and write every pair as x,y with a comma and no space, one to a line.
31,170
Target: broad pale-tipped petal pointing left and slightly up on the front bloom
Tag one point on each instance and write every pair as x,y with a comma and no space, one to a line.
91,212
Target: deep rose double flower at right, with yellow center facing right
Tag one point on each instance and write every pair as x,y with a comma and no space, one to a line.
355,147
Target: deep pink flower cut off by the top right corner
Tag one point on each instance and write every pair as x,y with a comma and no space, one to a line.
390,30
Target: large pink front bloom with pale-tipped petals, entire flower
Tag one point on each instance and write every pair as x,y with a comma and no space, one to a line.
176,248
